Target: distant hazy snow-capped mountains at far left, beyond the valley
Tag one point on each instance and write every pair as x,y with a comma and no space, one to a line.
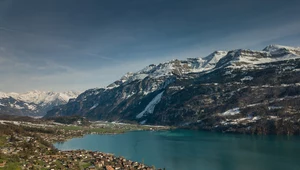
33,103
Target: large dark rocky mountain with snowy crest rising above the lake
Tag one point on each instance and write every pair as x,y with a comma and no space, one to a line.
236,91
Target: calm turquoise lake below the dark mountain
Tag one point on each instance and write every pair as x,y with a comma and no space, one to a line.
188,150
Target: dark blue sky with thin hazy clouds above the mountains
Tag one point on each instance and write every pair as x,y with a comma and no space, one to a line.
80,44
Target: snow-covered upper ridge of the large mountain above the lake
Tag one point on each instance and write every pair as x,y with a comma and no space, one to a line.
236,58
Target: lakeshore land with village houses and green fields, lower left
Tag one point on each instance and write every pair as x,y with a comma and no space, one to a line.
27,145
